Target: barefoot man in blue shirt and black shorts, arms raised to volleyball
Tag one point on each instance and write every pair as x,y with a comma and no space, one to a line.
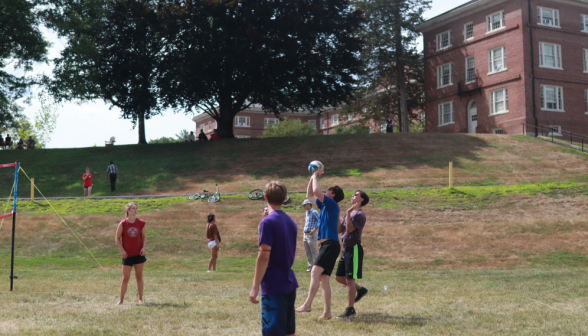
328,237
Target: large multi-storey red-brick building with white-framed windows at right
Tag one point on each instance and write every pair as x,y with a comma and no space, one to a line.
491,65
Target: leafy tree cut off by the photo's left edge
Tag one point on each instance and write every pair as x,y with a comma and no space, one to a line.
21,45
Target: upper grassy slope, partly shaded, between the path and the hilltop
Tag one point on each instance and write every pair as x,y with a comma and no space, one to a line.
352,161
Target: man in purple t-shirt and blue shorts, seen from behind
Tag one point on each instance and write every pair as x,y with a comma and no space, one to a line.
273,268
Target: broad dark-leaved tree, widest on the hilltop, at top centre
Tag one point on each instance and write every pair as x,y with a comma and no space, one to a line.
225,55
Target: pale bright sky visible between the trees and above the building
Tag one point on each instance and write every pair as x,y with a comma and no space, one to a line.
89,124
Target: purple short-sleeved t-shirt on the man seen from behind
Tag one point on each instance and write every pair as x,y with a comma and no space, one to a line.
279,231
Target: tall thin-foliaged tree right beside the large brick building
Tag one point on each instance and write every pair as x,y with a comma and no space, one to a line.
391,83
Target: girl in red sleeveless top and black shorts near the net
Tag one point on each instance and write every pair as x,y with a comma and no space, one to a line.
131,240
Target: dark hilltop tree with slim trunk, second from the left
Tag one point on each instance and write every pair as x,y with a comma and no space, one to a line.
112,54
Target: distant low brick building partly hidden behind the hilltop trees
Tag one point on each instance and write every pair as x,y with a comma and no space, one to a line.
251,122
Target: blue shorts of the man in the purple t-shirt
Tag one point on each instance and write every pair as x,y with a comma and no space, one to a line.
277,314
